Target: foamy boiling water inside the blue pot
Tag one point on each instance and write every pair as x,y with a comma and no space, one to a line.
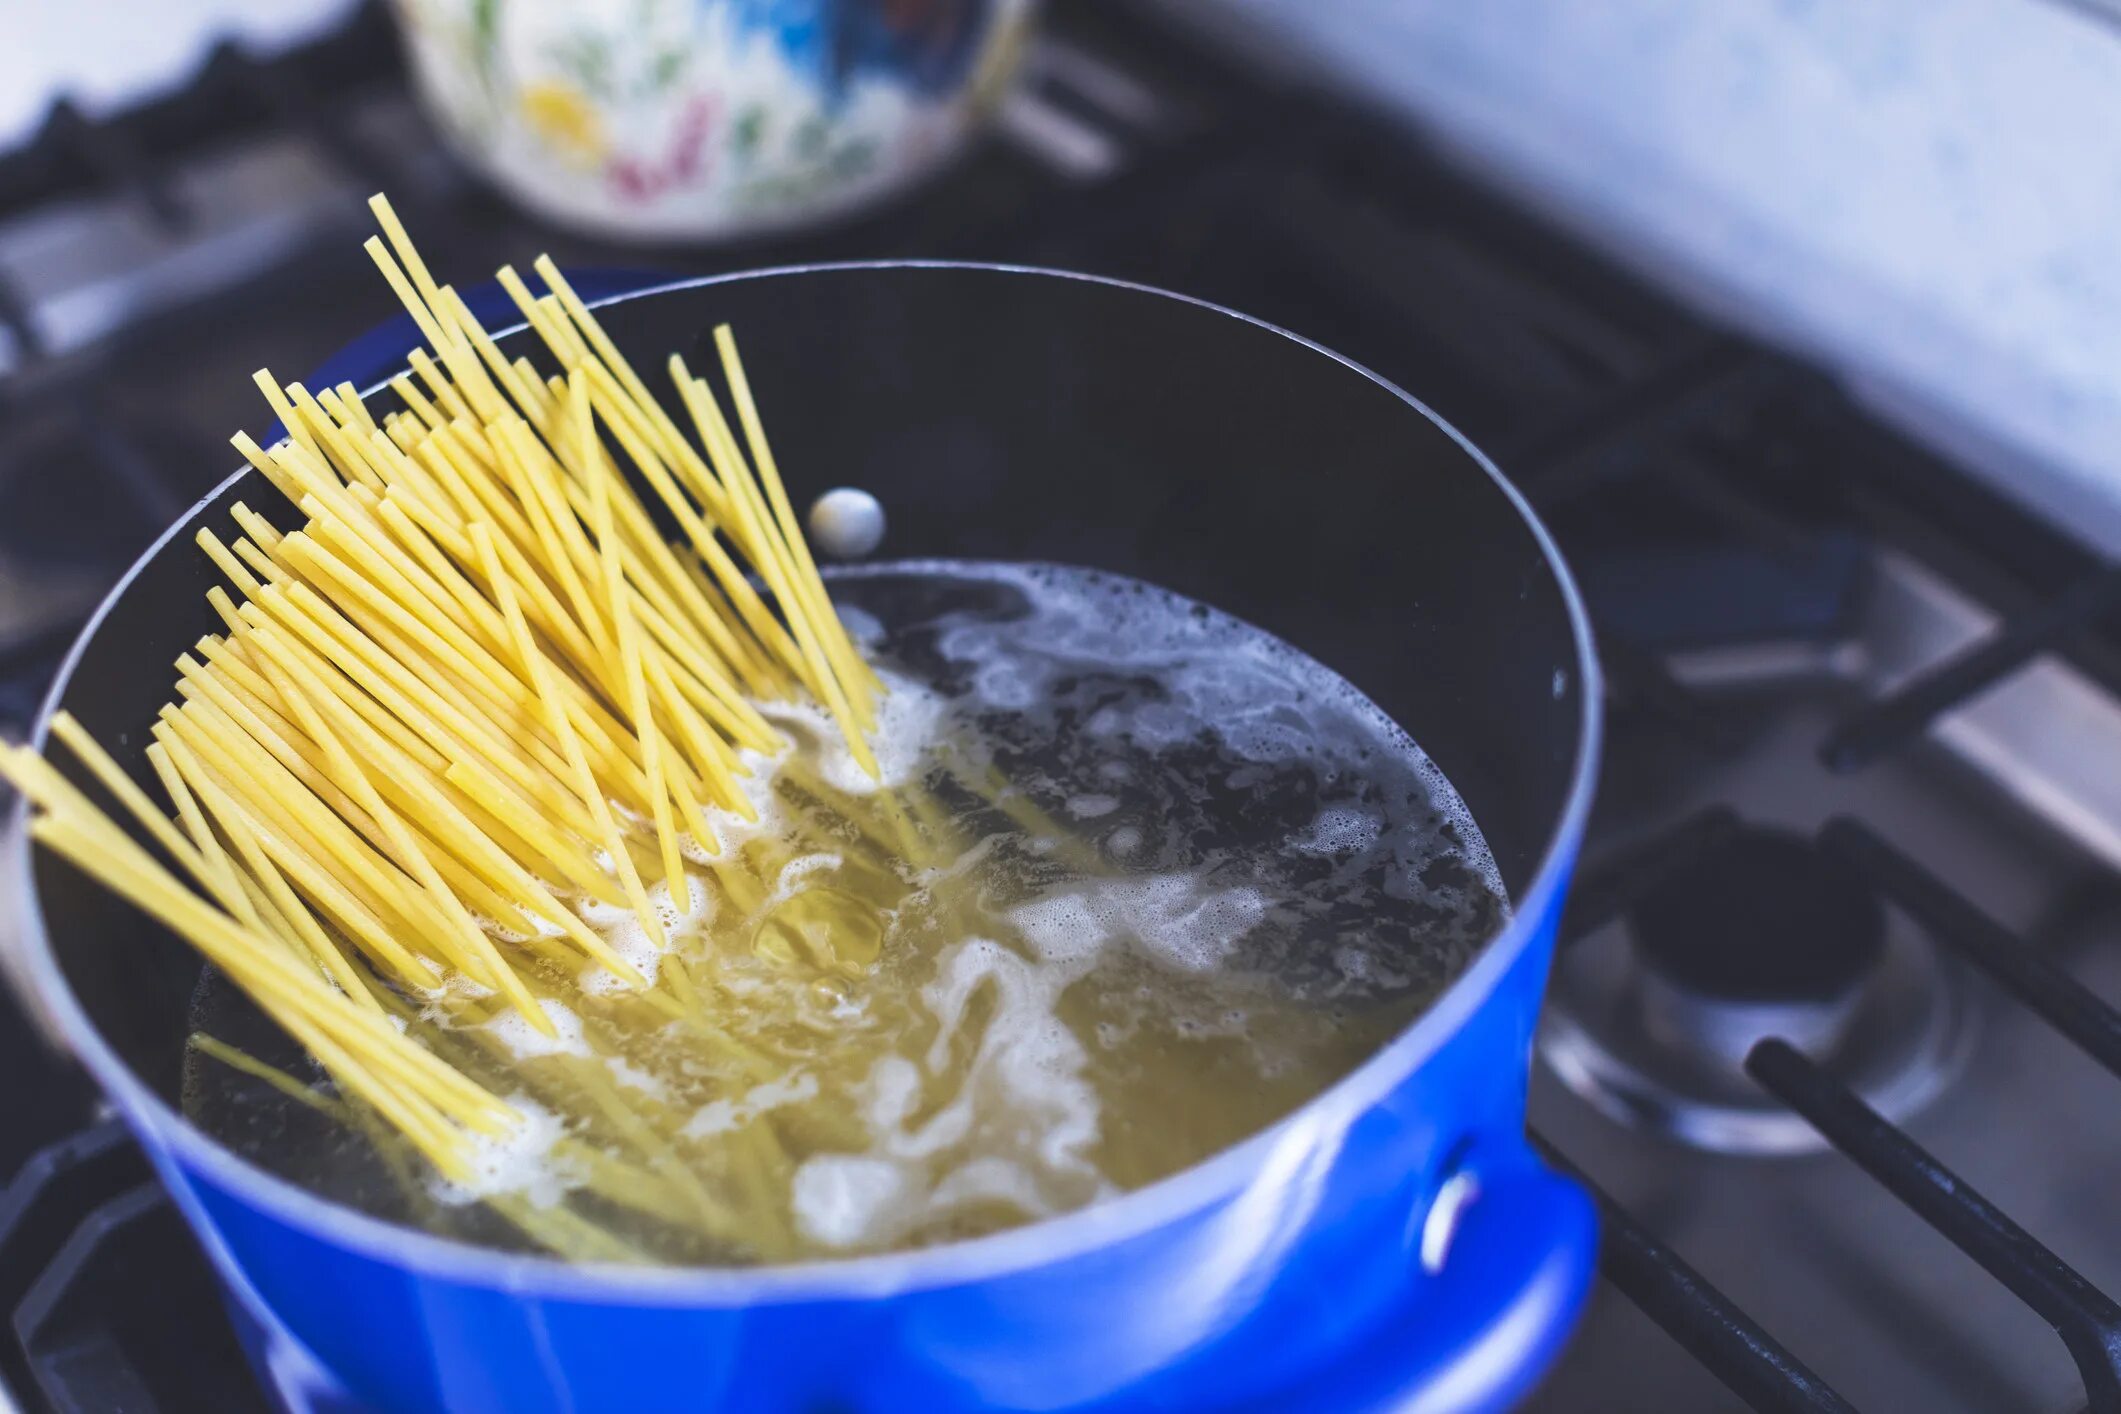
1138,883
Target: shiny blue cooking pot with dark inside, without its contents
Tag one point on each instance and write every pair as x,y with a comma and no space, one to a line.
1392,1245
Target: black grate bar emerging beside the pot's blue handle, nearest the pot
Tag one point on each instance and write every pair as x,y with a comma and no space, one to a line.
1689,1309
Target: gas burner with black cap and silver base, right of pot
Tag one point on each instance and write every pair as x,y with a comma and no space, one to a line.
1761,936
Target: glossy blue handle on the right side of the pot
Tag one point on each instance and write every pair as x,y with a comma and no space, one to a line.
1509,1250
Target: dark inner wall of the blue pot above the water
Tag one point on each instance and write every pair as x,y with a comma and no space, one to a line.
1019,417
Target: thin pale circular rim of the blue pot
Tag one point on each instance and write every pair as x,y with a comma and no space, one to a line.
1057,1239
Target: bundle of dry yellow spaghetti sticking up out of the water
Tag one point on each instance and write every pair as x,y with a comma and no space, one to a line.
470,701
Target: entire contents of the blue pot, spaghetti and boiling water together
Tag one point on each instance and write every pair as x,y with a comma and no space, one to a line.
639,911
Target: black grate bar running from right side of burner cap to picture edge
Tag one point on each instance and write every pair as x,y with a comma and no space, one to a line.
1955,921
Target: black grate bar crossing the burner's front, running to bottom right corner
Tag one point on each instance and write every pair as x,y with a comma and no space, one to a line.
2086,1318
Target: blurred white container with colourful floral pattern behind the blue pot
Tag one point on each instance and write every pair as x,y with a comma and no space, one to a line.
695,120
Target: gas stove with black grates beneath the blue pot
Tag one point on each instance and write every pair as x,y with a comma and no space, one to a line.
1834,1029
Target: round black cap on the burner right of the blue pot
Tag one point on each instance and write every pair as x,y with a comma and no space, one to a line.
1764,917
